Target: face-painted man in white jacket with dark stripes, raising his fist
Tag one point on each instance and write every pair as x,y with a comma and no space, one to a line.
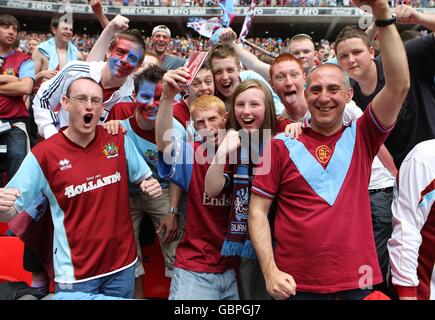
124,55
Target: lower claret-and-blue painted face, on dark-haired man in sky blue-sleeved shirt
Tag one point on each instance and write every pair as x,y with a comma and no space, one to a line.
148,99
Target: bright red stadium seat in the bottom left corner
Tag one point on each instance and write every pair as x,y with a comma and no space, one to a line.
11,259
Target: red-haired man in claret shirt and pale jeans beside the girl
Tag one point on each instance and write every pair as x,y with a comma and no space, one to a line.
200,271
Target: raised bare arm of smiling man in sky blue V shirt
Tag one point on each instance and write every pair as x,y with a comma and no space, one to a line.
388,102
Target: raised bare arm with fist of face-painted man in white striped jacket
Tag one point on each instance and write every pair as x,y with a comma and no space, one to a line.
117,24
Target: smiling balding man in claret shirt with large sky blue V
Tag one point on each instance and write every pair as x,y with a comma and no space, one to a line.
324,239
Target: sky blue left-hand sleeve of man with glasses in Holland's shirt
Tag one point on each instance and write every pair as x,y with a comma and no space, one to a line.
30,181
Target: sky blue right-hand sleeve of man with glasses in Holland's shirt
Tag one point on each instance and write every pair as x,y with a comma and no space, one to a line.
138,170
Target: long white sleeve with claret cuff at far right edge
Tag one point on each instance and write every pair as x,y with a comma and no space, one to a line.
410,207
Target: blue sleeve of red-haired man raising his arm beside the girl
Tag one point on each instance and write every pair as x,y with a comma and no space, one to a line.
178,168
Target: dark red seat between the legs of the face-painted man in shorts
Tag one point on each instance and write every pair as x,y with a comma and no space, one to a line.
155,283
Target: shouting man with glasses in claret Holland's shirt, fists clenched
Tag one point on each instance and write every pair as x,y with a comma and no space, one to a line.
83,171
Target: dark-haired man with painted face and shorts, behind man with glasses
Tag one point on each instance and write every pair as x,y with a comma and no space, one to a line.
164,210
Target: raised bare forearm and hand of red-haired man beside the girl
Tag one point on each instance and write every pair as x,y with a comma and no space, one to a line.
173,81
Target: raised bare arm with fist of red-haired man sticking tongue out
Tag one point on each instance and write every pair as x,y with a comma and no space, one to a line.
248,59
